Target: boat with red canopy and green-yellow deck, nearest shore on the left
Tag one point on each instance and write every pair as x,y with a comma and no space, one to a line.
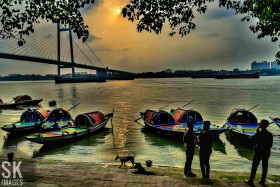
84,125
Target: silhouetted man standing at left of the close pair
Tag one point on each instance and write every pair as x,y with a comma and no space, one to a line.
189,138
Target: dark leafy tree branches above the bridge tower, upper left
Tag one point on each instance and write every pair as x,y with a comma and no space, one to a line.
17,17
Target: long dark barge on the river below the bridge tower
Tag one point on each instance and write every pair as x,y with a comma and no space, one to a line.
70,79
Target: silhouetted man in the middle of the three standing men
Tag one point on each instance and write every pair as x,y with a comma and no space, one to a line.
205,143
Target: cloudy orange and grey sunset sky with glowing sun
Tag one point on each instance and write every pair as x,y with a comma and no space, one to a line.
220,41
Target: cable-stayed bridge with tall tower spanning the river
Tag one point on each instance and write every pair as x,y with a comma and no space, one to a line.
51,45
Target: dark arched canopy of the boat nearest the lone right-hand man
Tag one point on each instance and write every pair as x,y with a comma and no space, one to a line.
242,116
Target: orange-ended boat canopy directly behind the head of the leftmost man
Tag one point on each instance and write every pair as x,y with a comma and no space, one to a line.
185,116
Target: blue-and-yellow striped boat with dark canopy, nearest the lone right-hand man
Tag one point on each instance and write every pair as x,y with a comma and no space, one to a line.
241,126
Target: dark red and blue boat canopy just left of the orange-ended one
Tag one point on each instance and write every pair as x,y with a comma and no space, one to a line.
158,117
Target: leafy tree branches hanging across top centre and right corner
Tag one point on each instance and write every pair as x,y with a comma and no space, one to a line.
152,14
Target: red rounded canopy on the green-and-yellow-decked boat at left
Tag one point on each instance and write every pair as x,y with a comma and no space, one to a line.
91,119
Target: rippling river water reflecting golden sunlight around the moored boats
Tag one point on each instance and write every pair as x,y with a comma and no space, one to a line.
214,99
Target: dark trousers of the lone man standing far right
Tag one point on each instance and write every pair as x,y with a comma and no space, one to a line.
260,156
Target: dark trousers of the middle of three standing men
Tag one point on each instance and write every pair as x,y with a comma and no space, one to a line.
204,157
